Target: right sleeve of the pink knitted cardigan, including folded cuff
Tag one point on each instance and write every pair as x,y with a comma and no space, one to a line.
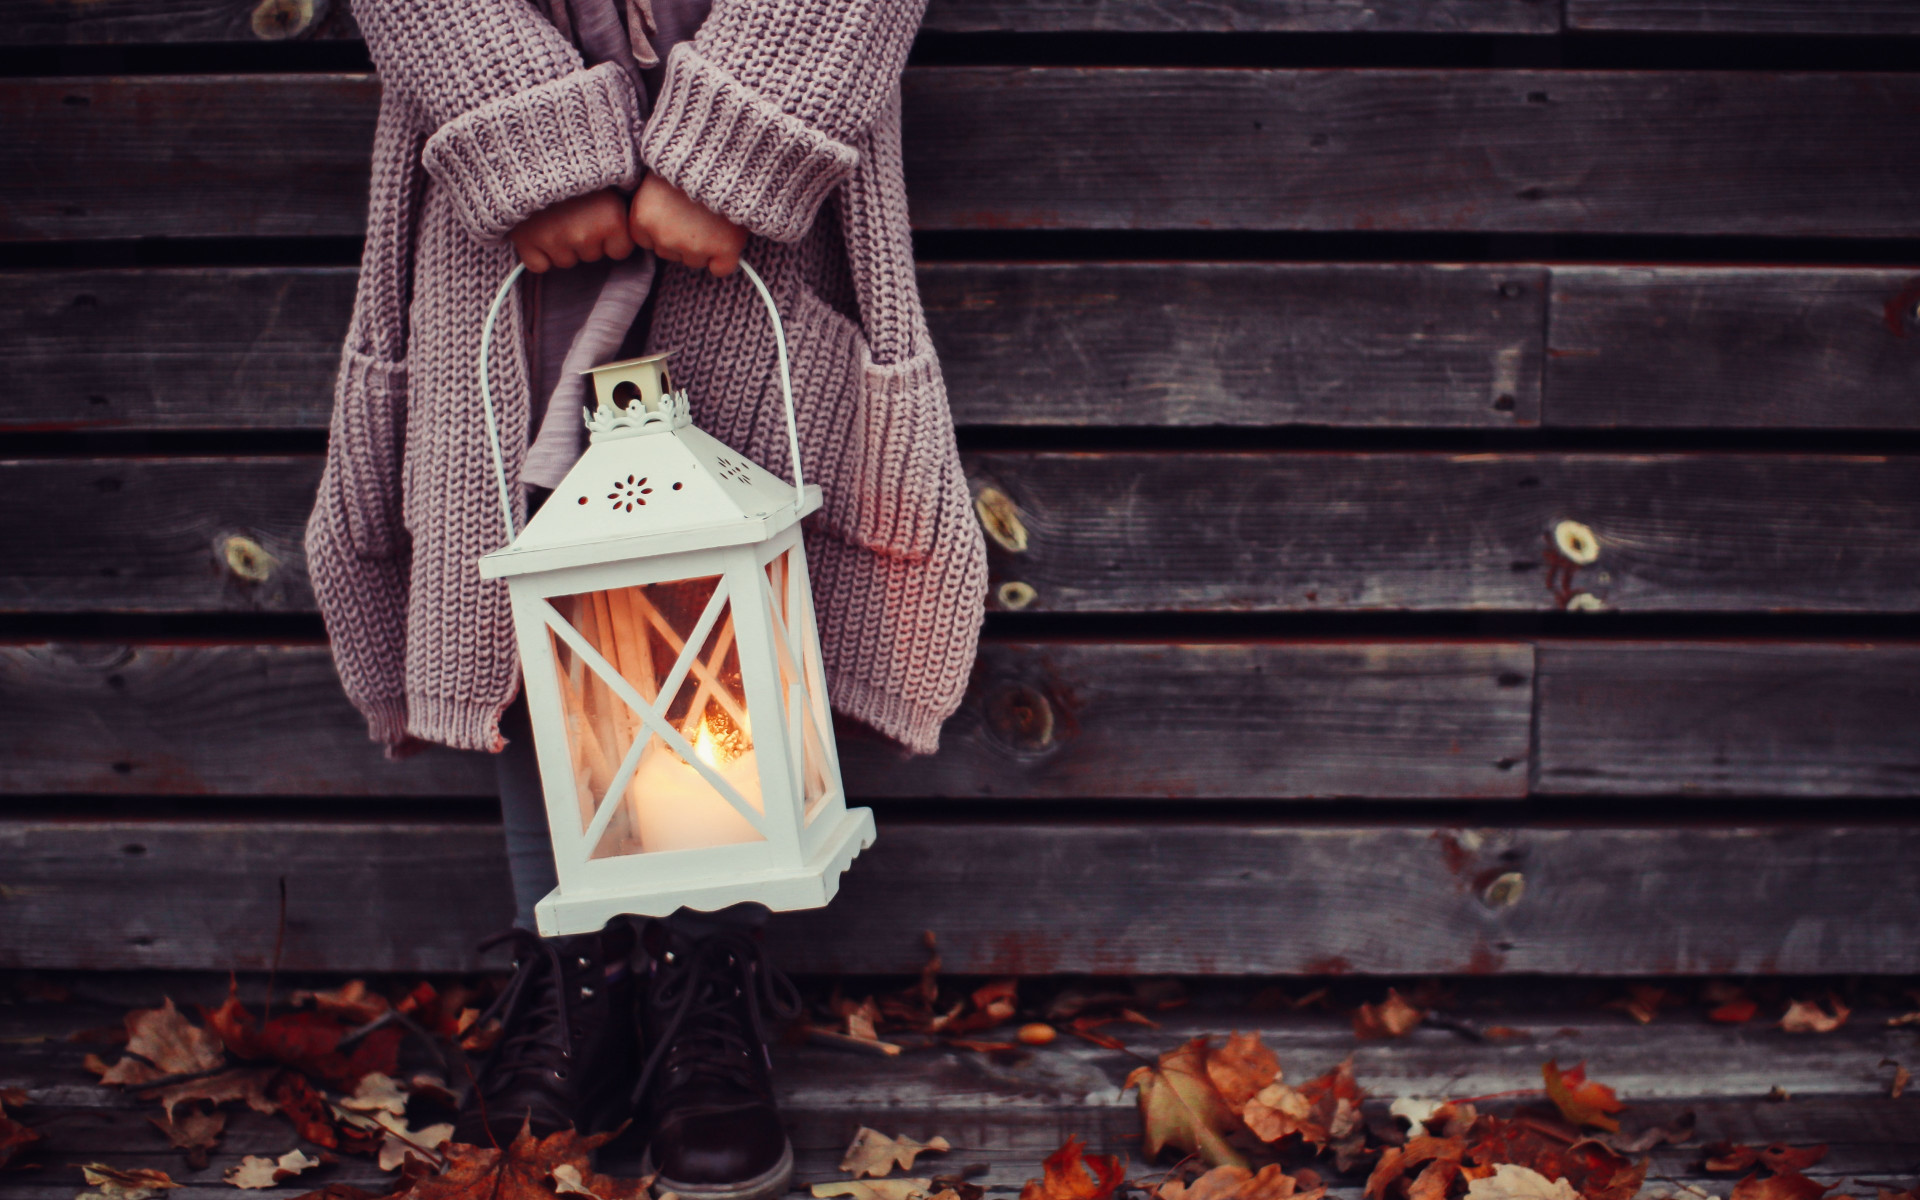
761,112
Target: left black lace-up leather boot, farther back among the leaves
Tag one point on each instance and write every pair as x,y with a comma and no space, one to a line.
567,1049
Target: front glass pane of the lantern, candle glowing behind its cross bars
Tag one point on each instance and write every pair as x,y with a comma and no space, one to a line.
636,802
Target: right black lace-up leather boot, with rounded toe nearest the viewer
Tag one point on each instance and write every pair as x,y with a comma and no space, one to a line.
706,1099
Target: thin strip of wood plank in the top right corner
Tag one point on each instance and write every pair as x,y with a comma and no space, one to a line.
1819,18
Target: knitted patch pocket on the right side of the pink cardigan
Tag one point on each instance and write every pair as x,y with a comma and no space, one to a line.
880,435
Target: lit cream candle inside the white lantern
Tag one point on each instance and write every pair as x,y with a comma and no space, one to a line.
677,809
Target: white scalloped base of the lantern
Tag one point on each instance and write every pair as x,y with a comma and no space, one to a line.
786,890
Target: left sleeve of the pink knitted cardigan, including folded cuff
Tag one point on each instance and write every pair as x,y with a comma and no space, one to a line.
517,122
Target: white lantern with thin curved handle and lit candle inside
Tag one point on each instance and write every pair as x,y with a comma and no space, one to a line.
673,669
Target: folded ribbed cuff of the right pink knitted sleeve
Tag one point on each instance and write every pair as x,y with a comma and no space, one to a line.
740,155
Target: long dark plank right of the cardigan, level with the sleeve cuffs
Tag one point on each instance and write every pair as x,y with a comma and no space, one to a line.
1666,153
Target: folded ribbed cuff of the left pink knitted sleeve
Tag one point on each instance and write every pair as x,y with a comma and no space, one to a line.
525,153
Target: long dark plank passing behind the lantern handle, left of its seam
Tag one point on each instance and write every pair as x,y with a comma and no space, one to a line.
1020,345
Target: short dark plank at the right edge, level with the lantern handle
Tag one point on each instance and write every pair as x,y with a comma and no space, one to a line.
1735,348
